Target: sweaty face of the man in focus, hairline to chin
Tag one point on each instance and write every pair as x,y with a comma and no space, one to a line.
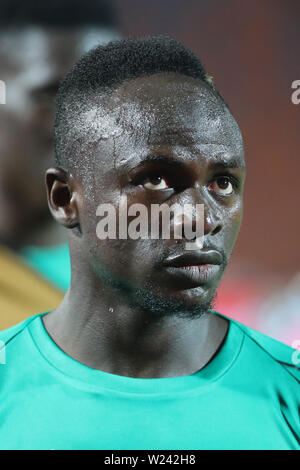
164,139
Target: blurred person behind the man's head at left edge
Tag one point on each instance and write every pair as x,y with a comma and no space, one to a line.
39,41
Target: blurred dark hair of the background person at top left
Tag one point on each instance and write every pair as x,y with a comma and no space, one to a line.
57,13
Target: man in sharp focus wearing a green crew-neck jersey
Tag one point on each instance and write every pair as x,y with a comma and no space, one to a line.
135,357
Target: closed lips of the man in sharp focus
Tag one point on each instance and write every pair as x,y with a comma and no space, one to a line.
195,268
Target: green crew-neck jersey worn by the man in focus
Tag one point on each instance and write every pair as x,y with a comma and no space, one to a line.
246,397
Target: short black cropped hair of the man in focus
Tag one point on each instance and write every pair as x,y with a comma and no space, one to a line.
105,67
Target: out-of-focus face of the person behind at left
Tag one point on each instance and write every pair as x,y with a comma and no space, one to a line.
33,61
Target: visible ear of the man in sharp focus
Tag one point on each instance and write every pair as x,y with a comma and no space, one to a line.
62,197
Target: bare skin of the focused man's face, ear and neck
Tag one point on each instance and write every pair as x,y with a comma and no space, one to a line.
150,323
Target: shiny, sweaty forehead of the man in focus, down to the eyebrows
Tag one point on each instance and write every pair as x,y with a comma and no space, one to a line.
166,111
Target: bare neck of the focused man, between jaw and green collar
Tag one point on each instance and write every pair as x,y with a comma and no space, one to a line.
96,326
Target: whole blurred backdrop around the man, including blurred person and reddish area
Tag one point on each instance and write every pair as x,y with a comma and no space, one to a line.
251,48
